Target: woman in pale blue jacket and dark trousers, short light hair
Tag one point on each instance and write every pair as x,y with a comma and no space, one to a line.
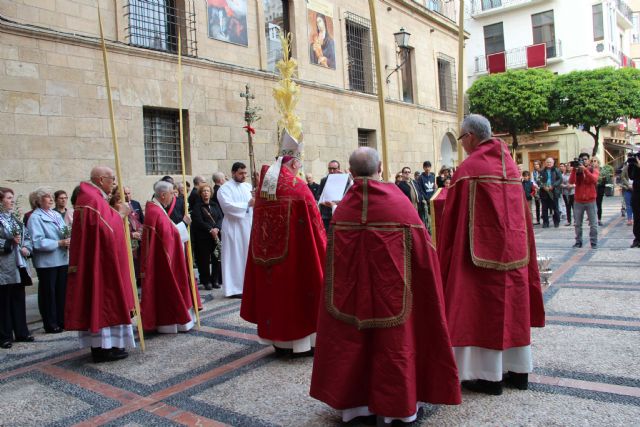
51,238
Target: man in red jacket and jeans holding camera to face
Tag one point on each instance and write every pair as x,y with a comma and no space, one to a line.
584,176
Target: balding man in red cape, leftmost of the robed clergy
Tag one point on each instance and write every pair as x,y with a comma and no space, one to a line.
99,299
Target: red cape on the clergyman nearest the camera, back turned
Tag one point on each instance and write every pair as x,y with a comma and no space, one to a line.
382,337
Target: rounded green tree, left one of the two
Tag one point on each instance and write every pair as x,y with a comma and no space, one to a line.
515,102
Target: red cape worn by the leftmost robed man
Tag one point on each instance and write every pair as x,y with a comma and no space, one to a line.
99,292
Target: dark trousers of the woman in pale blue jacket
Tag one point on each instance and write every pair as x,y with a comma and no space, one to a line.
52,290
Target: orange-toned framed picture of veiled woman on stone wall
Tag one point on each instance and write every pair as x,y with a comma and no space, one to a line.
322,49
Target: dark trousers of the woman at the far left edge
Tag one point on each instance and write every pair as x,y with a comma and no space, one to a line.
13,313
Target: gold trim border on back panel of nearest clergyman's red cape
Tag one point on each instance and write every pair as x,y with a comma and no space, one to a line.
407,296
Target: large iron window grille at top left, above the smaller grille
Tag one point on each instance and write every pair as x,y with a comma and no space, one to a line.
155,24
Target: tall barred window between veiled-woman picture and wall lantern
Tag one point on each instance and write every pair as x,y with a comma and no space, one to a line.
360,56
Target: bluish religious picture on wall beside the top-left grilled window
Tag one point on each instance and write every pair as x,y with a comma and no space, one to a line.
227,21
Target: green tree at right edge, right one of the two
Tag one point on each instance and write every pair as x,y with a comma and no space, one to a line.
591,99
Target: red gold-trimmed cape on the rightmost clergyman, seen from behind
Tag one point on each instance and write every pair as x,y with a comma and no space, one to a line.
487,254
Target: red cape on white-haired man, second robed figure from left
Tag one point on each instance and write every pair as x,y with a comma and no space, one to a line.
166,293
